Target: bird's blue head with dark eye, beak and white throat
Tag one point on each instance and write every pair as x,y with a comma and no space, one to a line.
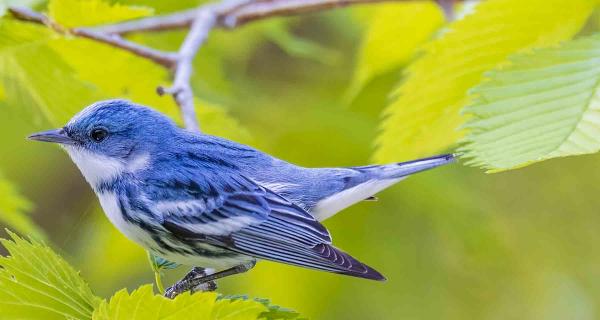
111,137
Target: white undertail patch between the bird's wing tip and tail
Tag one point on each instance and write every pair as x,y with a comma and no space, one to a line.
342,200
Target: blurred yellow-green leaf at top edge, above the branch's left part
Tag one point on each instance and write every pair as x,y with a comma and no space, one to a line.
78,13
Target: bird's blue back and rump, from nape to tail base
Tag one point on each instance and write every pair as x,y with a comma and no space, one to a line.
192,154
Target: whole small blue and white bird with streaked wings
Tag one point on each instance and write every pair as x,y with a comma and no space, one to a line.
208,202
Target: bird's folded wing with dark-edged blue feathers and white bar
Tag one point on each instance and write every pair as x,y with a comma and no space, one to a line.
255,221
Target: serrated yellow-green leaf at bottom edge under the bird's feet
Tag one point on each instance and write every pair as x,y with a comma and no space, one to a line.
143,304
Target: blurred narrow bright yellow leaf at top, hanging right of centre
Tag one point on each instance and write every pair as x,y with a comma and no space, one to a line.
395,32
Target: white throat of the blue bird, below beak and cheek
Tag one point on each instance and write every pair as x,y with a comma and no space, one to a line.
97,168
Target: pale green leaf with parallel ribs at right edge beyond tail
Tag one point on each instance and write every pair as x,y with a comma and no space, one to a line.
545,104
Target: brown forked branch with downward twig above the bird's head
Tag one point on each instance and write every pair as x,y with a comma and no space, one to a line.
201,21
